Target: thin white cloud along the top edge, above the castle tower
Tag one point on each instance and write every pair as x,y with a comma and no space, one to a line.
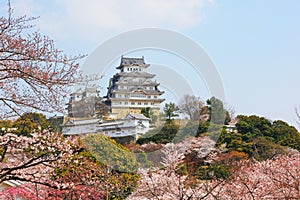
120,14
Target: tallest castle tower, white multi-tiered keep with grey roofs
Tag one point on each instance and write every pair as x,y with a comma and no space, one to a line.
133,88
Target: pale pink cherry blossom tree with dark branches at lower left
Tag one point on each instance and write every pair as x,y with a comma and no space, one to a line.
32,159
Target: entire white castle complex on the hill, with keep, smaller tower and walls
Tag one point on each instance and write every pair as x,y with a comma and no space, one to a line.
129,90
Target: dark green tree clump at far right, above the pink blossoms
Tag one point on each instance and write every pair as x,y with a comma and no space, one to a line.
259,137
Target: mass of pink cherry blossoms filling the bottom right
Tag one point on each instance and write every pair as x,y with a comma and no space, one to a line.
276,178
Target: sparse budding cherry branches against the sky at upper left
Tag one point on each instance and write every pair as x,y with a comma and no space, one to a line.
33,72
